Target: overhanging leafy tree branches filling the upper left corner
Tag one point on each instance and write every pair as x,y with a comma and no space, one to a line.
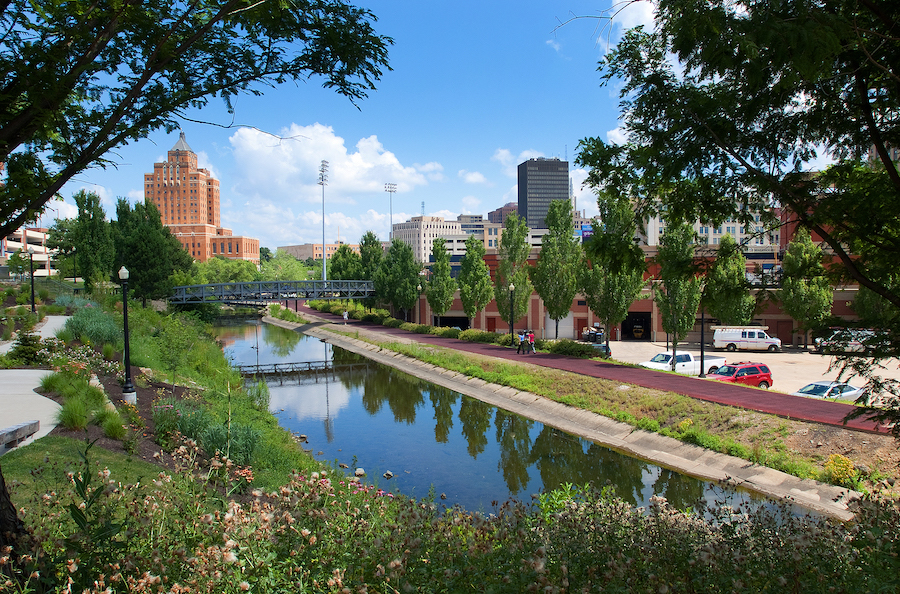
62,110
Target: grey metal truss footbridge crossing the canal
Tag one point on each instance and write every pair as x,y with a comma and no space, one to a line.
262,292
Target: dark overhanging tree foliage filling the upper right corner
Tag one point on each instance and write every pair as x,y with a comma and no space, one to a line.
727,107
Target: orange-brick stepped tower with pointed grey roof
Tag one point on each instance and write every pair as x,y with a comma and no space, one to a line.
188,201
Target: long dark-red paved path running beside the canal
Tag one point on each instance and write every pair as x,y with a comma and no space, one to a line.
767,401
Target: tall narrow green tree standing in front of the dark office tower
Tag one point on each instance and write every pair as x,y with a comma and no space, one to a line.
555,276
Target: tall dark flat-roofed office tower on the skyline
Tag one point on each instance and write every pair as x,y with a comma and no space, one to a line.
541,181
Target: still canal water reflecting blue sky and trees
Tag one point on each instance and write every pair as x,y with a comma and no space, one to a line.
436,442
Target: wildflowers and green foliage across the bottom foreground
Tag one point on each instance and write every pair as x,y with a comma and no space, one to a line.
323,532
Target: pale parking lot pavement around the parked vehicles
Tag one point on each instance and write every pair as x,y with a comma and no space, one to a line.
791,369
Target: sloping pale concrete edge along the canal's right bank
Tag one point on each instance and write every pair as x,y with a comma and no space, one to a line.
663,451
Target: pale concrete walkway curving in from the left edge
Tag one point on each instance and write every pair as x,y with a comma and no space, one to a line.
18,400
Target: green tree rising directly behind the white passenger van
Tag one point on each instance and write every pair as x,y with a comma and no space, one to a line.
727,294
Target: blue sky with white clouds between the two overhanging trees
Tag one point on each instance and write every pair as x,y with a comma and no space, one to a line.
476,88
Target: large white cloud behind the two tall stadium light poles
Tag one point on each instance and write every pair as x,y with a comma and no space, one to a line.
275,194
